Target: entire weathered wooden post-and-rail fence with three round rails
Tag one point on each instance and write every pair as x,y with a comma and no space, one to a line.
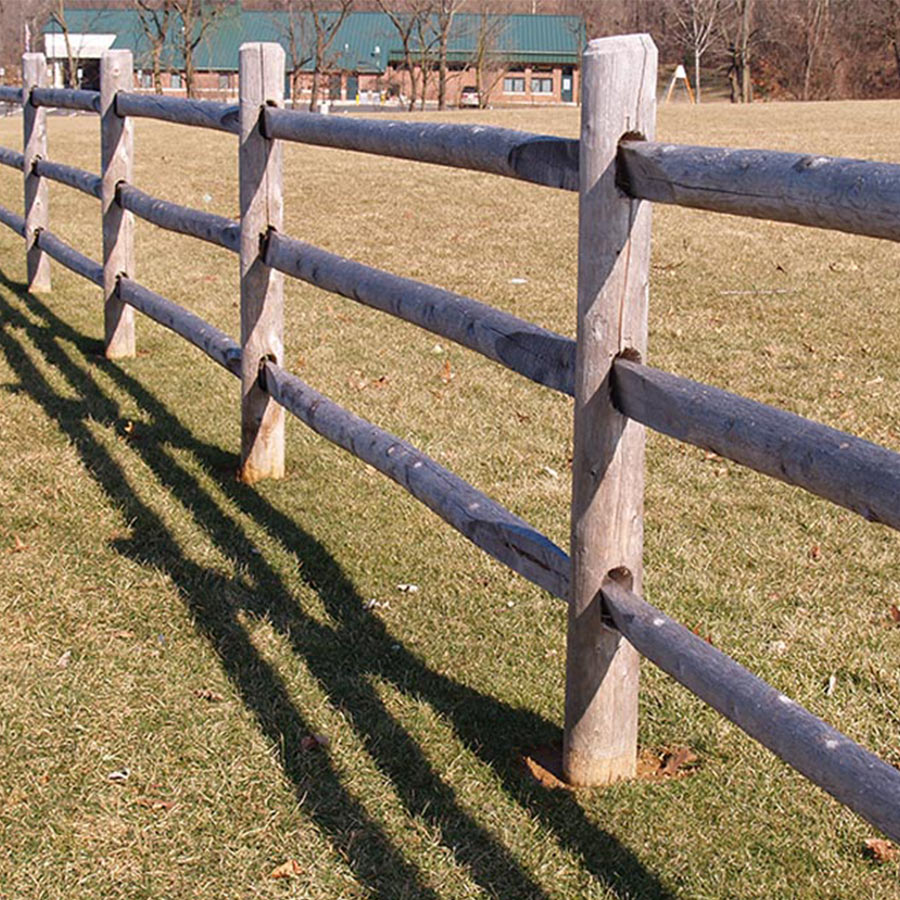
615,167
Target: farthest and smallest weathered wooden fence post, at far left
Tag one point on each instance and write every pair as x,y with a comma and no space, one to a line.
37,201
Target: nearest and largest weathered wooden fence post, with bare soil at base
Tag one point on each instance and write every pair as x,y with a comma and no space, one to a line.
619,98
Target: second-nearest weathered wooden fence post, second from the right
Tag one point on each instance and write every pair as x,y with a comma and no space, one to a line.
262,288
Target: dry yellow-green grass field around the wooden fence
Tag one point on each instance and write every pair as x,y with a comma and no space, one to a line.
159,617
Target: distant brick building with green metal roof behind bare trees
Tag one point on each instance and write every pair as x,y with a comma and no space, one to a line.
506,59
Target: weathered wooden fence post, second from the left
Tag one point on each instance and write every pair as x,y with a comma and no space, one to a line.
117,163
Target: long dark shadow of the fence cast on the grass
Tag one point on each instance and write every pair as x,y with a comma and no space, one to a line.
344,659
